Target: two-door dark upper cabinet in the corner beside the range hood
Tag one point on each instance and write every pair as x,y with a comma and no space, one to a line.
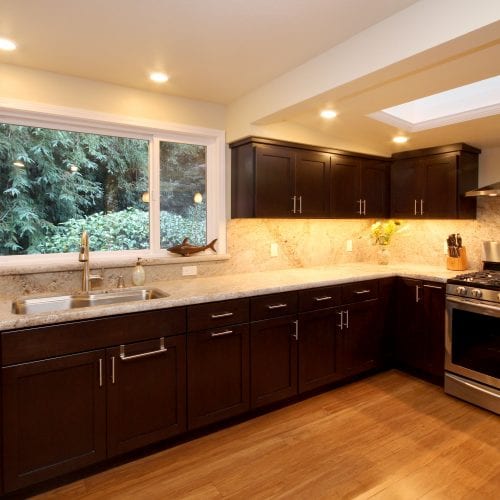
431,182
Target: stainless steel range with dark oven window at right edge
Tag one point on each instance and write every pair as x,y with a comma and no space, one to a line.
472,342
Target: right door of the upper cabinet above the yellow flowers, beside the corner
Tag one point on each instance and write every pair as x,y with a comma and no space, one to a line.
375,188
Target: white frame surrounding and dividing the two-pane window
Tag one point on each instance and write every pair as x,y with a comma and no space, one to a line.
78,120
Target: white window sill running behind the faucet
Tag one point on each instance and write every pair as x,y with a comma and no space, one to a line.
69,262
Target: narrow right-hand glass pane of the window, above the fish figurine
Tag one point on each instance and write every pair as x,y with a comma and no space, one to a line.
183,212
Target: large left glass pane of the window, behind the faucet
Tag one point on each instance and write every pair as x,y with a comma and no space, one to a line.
55,183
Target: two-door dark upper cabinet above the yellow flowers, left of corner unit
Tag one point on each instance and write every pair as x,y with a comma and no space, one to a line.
360,187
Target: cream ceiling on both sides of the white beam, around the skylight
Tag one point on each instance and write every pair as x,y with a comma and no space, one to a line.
221,50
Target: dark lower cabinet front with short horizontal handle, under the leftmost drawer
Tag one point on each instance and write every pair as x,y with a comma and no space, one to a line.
218,375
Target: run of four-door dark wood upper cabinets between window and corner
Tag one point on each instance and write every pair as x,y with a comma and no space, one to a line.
271,178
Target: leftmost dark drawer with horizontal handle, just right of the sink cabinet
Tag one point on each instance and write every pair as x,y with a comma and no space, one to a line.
215,314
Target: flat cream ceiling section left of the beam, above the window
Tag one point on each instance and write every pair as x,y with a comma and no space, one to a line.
213,50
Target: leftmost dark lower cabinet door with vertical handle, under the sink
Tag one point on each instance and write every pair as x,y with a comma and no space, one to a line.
54,417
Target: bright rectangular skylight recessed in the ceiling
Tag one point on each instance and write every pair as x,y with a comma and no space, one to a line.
464,103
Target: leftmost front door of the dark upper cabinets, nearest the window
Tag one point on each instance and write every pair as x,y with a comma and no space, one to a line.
274,181
